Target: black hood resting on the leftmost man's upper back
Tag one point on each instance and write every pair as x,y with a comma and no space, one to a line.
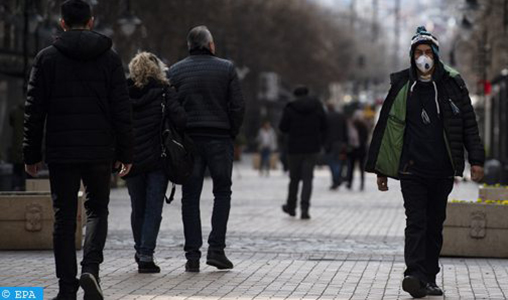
83,45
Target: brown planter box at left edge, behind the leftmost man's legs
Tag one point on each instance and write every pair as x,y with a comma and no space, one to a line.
27,221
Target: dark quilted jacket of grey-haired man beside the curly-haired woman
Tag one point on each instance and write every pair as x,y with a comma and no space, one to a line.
209,90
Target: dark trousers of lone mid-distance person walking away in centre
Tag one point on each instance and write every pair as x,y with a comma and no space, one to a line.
301,168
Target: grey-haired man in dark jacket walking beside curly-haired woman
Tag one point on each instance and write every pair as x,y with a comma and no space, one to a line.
209,90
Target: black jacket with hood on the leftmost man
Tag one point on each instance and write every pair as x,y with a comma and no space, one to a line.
77,89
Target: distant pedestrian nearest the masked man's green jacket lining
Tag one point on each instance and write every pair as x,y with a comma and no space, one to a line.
358,148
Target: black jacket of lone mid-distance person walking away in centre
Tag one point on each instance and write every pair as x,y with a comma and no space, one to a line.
304,121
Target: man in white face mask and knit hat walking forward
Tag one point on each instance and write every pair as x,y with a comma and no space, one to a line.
425,123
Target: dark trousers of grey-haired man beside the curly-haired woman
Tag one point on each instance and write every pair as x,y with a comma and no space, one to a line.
217,155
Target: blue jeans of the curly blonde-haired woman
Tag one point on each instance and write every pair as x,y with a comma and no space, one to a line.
147,199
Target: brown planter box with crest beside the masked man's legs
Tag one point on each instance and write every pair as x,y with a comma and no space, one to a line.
476,230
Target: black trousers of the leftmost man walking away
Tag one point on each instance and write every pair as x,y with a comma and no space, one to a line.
65,183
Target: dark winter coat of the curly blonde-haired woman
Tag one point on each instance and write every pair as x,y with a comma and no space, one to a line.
147,117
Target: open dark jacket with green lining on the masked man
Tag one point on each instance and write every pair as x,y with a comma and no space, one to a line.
460,126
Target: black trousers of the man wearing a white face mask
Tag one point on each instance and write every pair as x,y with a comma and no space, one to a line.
425,203
